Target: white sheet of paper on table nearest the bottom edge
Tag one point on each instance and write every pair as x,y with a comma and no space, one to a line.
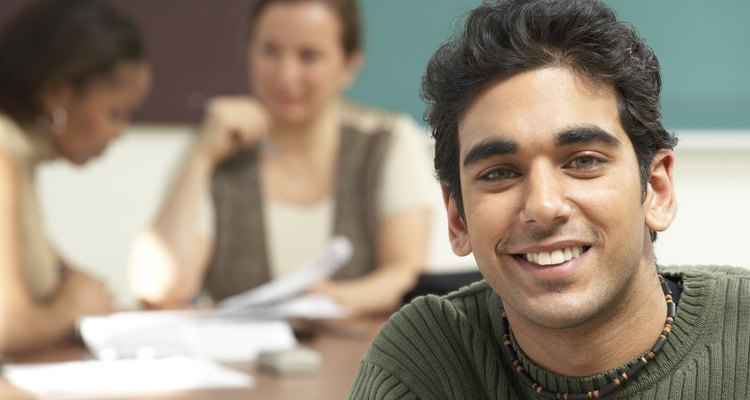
92,379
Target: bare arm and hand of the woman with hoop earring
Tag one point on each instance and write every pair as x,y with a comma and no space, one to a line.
27,323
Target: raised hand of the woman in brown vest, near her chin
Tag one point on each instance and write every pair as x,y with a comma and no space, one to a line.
231,123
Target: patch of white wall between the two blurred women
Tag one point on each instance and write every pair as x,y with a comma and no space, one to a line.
93,212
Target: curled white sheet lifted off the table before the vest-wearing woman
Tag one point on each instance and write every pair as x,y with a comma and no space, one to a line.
337,253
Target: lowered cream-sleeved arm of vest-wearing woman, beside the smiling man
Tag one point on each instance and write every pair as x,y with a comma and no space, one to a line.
405,213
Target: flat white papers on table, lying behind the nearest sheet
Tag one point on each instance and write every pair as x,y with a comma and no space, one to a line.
157,334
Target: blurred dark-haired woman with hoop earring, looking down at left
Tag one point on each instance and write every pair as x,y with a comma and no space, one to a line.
71,73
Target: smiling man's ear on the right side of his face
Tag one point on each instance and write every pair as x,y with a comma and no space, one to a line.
661,203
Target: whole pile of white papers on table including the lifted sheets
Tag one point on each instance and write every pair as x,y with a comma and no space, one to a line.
236,330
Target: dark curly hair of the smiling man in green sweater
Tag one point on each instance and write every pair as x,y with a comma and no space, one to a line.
503,38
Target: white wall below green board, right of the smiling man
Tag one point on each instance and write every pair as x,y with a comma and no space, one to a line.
712,178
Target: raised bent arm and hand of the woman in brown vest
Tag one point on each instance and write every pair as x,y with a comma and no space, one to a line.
169,260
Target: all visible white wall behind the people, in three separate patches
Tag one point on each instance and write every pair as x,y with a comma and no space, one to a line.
94,212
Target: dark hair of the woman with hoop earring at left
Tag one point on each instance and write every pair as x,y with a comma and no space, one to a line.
53,41
